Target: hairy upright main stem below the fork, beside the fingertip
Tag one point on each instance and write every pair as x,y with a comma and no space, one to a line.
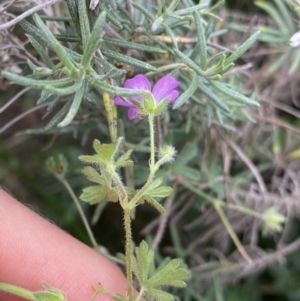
127,223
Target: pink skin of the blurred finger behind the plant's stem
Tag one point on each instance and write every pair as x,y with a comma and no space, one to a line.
33,250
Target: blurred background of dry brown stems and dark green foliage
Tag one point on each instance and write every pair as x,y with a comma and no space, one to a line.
249,158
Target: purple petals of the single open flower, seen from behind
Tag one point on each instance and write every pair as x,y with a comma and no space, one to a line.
164,88
